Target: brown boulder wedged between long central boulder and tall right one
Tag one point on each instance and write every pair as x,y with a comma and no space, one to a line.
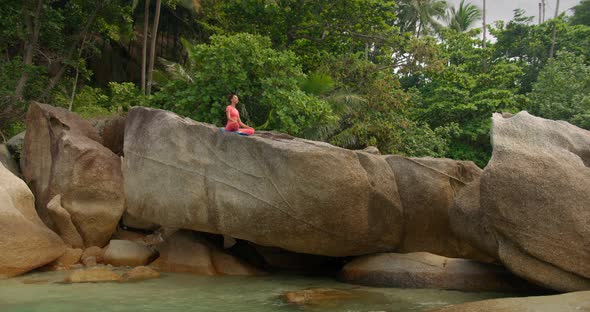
427,188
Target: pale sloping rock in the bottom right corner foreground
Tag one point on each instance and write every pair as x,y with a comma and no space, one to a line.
572,302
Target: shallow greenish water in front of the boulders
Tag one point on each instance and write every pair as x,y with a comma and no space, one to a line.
180,292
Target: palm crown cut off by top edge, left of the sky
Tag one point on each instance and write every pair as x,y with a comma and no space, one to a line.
421,17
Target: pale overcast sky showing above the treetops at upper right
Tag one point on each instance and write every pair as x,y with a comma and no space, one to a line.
503,9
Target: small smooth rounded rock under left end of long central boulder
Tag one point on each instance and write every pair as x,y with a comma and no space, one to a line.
127,253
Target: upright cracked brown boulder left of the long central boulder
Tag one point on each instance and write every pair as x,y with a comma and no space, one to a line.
62,156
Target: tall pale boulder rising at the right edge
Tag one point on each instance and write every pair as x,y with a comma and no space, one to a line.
531,208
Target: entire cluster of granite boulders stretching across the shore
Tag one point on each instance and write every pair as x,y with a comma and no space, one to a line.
524,218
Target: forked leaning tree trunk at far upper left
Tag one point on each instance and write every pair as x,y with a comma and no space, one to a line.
33,28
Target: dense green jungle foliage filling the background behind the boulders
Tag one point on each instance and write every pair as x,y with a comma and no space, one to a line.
350,72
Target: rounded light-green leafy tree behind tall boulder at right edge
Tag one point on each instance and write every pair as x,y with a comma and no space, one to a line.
563,90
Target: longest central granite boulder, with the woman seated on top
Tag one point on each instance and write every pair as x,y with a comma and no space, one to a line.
299,195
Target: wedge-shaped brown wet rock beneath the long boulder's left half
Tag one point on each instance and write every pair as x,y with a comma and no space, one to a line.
186,252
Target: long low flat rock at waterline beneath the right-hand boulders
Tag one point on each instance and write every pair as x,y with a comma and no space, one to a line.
425,270
